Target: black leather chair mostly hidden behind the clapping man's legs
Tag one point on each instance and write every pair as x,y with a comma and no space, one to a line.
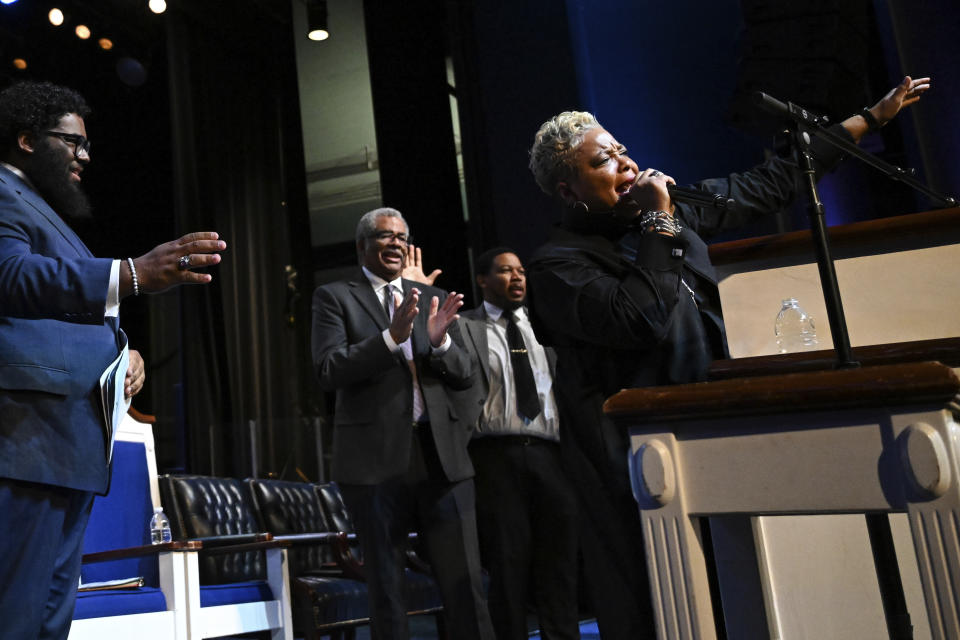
422,594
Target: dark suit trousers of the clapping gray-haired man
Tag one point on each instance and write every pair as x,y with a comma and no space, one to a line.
444,514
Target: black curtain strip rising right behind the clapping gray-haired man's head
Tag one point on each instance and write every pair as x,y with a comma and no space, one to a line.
411,109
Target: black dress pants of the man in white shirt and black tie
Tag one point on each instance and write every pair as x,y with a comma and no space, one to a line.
527,512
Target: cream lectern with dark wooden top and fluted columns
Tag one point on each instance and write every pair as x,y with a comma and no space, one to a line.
781,453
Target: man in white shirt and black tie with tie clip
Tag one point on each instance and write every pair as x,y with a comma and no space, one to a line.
525,504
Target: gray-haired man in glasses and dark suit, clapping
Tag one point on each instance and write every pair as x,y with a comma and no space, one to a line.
405,400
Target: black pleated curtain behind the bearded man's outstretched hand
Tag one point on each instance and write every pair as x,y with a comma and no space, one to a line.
238,376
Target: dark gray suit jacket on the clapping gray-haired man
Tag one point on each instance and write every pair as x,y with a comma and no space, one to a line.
374,388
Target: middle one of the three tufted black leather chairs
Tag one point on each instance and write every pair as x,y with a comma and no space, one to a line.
329,597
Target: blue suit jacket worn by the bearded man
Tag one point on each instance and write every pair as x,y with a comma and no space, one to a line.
54,344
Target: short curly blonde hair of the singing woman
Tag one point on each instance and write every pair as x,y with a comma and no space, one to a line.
551,156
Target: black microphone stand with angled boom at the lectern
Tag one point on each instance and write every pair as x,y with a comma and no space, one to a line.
804,123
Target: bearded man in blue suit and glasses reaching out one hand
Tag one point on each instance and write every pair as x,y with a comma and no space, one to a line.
59,331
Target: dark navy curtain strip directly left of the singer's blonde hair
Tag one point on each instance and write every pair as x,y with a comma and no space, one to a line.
515,68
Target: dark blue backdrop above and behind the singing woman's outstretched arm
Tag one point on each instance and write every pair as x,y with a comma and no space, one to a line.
660,77
